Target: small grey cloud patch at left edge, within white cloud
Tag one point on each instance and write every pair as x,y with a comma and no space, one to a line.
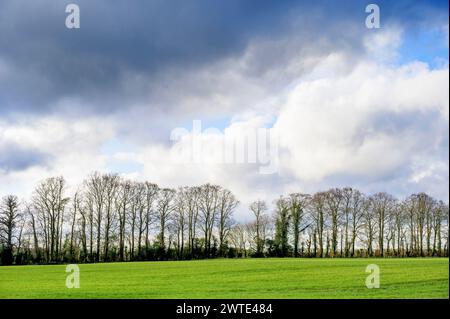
16,158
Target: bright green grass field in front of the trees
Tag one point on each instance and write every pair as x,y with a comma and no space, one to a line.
232,278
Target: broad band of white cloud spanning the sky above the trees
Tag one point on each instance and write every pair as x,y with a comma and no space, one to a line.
378,124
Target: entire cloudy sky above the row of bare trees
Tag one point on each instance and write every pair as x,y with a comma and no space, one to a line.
346,105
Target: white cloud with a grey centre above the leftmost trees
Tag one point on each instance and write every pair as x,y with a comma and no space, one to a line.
34,149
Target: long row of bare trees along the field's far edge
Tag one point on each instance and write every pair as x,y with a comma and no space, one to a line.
110,218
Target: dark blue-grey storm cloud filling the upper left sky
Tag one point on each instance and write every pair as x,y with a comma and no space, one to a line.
46,61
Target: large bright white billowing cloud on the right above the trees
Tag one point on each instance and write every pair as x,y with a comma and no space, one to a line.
371,124
